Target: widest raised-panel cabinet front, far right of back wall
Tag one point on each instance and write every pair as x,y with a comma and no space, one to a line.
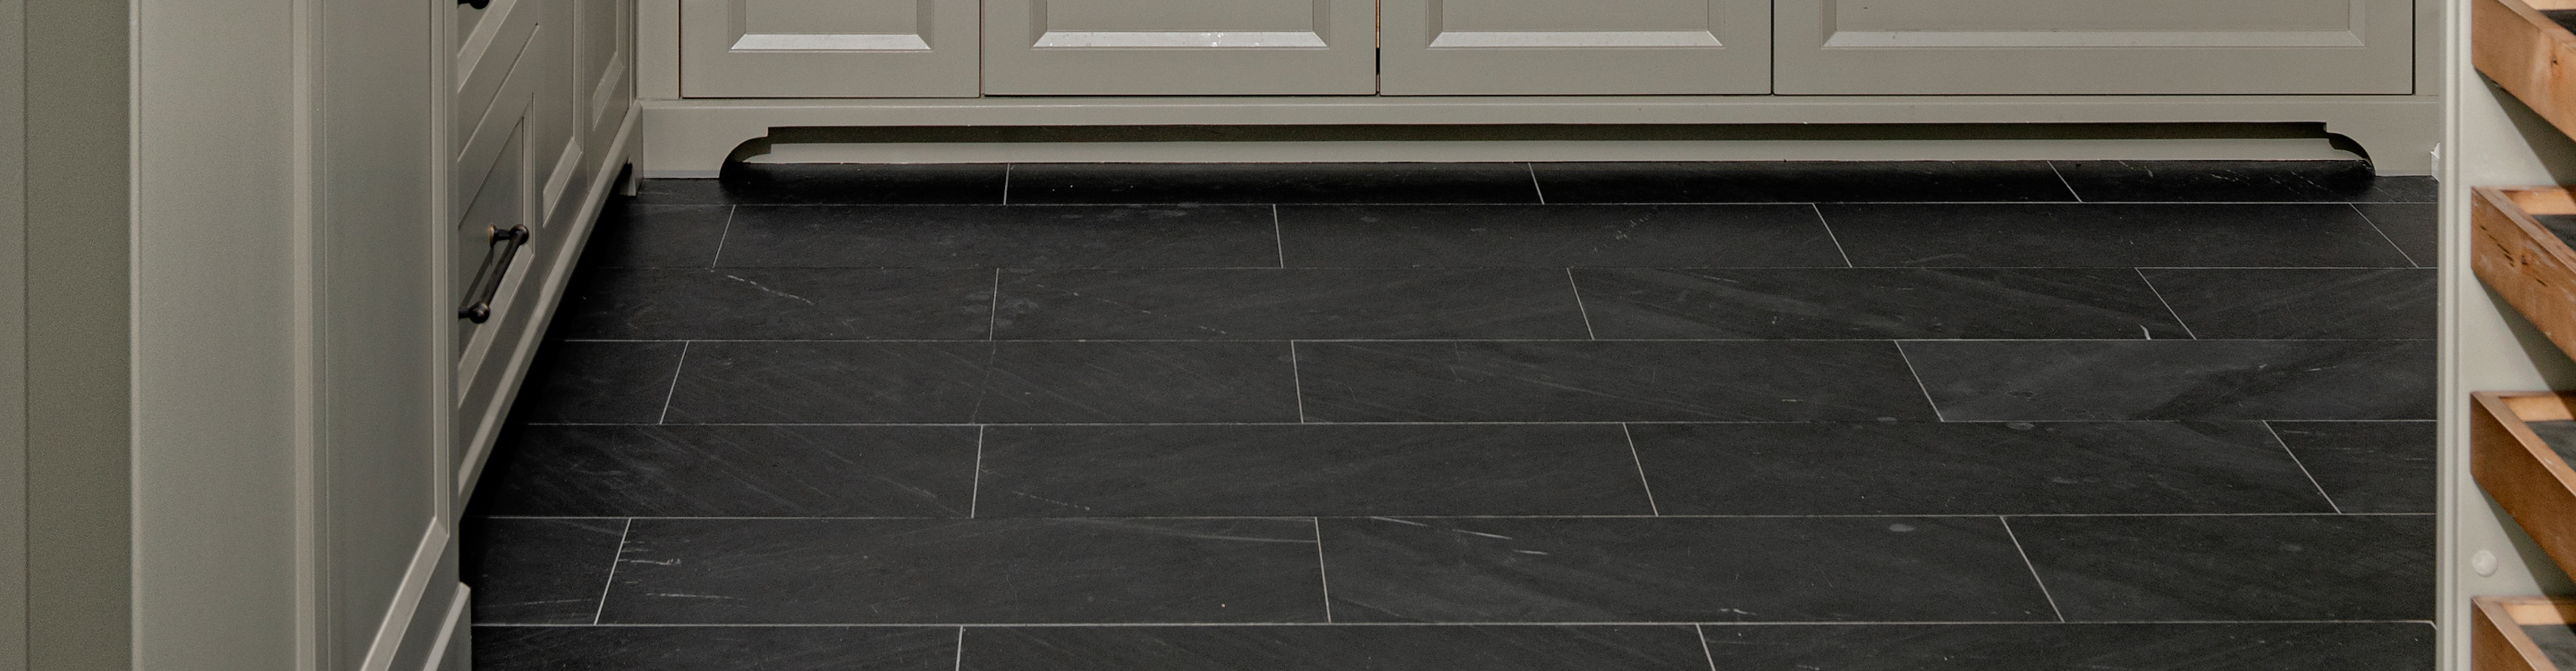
2039,48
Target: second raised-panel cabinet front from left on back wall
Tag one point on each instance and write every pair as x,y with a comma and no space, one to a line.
1181,48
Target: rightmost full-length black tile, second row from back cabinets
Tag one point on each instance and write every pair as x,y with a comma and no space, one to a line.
2119,235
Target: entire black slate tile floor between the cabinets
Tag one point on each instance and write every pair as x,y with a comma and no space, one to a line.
1756,415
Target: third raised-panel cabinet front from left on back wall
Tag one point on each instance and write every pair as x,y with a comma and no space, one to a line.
1575,48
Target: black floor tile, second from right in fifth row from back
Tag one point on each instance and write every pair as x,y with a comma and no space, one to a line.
1972,469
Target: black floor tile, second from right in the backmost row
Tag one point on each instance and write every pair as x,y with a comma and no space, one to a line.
1797,181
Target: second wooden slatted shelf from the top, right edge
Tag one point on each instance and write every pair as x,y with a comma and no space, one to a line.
2523,261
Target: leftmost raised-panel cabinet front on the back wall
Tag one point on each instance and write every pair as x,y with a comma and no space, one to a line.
828,48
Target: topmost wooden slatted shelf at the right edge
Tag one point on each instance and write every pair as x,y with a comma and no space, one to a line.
2518,45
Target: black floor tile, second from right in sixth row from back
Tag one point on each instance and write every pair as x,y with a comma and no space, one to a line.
1678,569
